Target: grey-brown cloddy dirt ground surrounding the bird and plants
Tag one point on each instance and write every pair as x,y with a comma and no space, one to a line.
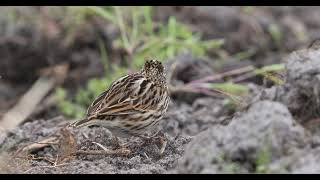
276,131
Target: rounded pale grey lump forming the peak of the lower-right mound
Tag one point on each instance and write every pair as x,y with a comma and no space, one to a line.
265,124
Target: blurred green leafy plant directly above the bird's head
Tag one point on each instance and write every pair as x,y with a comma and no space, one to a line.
141,37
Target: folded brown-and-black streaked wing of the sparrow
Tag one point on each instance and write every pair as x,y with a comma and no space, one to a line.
128,95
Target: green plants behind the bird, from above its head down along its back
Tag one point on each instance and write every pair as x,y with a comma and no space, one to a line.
140,38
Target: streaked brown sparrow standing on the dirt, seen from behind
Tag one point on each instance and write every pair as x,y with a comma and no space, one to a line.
133,104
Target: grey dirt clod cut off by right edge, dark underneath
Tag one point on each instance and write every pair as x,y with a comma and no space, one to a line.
301,92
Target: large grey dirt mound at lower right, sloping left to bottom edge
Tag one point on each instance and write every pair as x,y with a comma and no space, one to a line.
266,127
